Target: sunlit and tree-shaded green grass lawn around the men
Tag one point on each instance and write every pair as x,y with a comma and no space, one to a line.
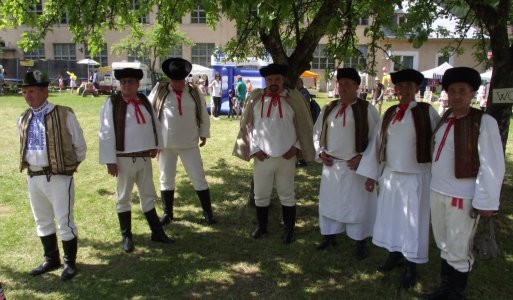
217,262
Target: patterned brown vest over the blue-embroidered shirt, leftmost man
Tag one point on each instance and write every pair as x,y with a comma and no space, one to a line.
62,158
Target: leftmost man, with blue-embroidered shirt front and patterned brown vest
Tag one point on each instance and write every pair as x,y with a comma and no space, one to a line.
52,147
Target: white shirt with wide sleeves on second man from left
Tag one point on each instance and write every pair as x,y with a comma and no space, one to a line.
138,137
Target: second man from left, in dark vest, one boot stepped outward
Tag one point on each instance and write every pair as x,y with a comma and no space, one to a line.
129,137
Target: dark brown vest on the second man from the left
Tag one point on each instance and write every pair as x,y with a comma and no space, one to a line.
119,107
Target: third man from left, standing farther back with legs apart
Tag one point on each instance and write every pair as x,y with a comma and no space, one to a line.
181,108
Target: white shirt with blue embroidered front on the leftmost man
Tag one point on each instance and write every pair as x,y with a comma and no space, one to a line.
37,157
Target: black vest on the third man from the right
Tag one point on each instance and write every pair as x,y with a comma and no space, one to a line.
360,119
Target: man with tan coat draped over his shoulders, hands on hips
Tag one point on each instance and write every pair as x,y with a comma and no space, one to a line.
276,126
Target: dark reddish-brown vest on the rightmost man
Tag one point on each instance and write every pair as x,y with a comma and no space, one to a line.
466,136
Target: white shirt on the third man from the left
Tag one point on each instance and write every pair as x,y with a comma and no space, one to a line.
181,131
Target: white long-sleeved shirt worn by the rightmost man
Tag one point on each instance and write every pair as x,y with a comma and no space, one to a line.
485,189
